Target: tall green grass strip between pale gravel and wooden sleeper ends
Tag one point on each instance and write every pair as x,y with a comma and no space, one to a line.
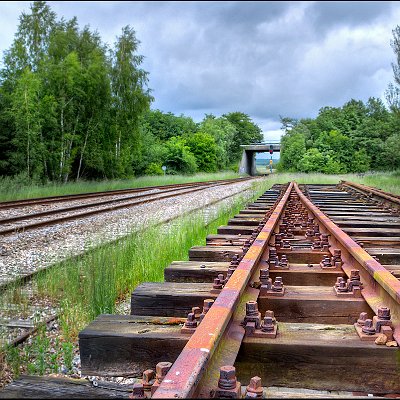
91,285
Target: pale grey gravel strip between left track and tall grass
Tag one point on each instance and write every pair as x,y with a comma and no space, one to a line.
26,252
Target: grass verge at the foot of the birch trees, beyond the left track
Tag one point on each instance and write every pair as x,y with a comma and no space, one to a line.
13,189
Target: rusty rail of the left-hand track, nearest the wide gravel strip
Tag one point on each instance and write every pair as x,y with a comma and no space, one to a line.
35,225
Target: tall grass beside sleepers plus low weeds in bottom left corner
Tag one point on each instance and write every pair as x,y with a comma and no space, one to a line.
92,284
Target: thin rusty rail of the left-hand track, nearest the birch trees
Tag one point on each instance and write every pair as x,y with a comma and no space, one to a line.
80,196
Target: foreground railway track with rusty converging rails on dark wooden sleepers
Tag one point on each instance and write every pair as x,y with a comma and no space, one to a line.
299,290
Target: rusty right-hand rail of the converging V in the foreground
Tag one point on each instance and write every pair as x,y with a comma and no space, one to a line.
381,287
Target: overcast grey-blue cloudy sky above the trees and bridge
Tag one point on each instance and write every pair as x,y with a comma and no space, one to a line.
262,58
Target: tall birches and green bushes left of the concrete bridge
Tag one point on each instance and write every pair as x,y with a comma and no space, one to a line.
72,107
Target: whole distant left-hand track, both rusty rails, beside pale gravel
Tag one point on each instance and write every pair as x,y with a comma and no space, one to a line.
130,198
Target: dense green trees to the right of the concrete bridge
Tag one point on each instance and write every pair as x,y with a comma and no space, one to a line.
357,137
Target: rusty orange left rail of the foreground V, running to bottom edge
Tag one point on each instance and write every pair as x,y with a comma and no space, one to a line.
185,374
